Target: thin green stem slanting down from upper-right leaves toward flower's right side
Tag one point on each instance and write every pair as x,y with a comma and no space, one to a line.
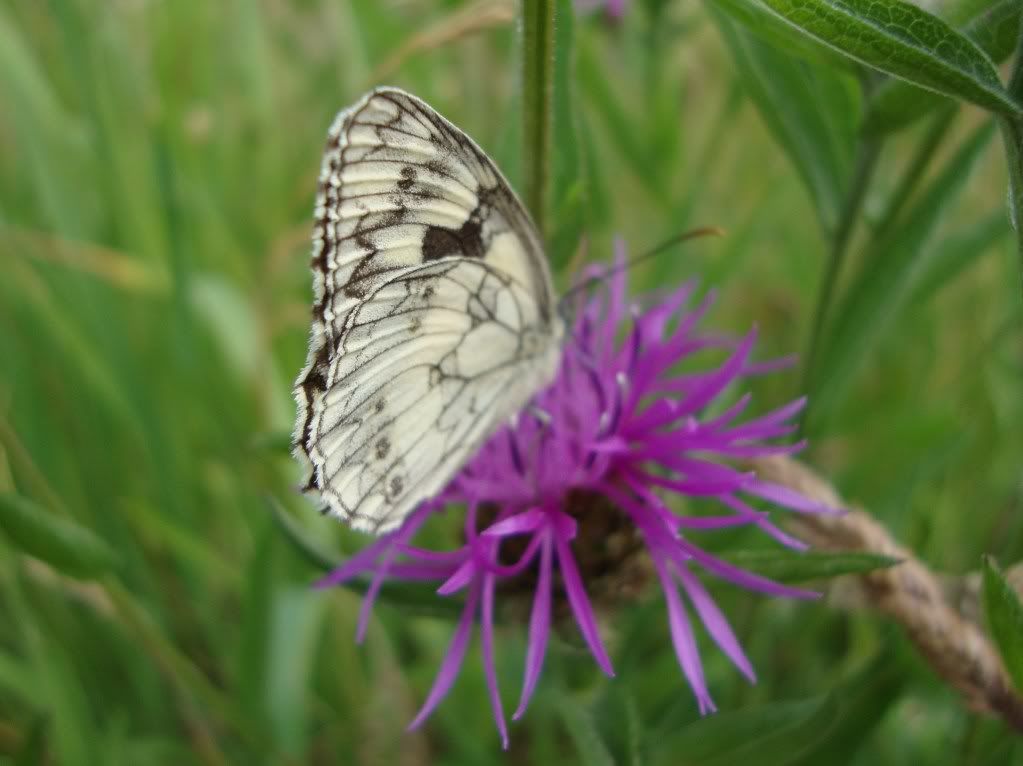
867,161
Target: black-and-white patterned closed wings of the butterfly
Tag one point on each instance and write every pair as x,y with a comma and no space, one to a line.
434,318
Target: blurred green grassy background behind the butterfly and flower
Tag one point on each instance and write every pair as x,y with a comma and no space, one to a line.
158,167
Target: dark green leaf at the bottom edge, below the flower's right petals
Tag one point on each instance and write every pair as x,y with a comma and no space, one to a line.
769,736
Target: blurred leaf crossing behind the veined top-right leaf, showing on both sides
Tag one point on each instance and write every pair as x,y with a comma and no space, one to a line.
898,104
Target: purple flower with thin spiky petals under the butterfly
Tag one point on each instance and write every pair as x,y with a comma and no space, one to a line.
582,484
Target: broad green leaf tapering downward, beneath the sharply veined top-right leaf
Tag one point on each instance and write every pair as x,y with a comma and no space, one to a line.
811,112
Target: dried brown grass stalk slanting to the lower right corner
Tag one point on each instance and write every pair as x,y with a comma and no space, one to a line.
911,594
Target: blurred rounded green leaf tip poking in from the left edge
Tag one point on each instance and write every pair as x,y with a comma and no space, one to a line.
67,547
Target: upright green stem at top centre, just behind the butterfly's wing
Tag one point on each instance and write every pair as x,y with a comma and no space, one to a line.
538,100
